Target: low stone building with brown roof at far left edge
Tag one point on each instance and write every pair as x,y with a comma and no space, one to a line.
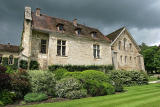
10,52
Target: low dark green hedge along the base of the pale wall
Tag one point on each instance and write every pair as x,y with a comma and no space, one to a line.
73,68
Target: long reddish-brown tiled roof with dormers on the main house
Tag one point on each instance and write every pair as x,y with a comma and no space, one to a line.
48,23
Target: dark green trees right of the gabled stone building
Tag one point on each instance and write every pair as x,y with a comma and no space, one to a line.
151,56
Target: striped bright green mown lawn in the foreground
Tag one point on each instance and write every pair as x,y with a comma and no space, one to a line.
138,96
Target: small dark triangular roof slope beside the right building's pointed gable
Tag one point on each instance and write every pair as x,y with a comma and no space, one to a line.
112,36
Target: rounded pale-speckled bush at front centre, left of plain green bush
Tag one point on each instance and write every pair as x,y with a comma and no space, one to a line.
65,87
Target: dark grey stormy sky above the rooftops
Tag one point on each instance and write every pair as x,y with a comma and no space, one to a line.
141,17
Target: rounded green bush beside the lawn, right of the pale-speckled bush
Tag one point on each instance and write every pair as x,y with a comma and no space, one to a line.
95,88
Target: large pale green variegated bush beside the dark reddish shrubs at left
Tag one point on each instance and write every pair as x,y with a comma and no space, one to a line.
42,82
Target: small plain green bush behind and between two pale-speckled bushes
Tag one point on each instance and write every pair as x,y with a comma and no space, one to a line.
59,73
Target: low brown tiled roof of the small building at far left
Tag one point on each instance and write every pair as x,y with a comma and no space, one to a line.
9,48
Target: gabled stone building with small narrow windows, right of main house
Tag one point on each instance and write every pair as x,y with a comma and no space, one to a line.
125,51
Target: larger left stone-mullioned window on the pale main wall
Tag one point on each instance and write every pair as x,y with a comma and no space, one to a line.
61,47
